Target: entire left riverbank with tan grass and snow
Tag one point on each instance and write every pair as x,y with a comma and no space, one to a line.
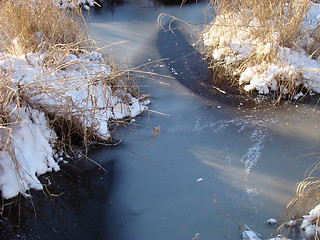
56,91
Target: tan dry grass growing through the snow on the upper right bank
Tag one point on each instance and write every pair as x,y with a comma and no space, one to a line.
276,23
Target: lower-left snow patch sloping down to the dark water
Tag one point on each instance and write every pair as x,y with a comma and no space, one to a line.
32,148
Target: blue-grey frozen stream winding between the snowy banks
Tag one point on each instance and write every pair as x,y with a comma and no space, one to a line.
192,146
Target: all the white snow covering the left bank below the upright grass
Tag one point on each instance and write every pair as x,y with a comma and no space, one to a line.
78,89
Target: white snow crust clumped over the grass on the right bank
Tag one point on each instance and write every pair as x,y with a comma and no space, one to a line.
233,46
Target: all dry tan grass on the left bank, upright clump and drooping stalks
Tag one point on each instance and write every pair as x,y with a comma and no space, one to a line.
40,26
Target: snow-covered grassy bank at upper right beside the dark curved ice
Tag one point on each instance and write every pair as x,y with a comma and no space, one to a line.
264,63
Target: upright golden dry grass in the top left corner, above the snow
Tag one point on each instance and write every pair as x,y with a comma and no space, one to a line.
28,26
